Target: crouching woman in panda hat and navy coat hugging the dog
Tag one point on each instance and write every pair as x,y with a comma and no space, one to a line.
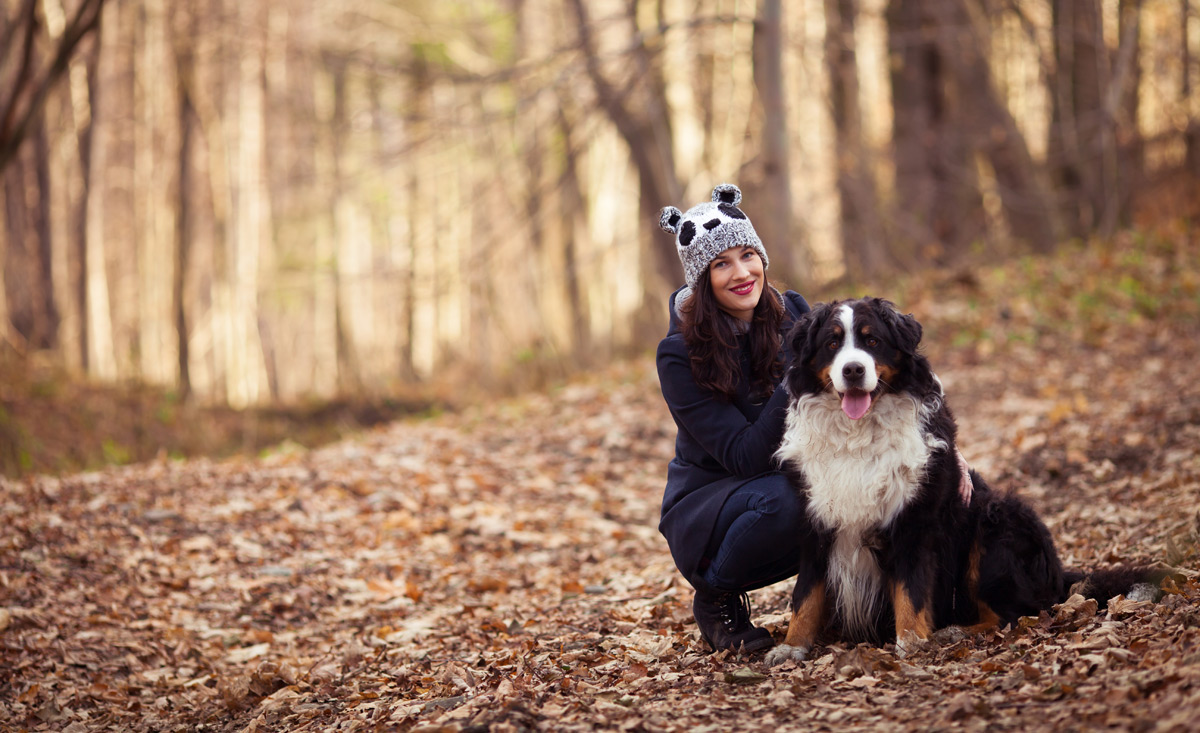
733,521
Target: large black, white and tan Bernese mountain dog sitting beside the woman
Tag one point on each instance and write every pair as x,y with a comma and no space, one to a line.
897,550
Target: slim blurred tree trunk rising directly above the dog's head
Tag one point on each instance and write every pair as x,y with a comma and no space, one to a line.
862,238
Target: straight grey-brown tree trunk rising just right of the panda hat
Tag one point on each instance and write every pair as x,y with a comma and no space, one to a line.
772,202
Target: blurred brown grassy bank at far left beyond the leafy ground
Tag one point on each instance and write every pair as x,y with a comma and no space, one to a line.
55,423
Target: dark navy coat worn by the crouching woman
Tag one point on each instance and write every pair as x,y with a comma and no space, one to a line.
721,444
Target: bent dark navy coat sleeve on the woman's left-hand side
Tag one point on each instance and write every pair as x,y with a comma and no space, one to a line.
743,448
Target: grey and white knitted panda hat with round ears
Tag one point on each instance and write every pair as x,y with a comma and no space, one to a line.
709,230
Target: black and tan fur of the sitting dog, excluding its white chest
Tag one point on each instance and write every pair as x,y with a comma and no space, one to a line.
943,562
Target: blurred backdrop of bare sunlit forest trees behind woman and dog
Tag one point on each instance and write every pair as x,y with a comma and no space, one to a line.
255,202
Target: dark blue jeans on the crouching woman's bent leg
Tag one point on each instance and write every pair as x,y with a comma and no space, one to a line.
758,538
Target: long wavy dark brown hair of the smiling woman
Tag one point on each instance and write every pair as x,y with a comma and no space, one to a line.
713,349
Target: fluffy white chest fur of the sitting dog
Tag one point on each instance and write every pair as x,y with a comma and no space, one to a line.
861,474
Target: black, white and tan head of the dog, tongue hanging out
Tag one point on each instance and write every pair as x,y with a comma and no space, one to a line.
859,350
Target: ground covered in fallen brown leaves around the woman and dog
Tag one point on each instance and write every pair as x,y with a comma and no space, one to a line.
501,569
